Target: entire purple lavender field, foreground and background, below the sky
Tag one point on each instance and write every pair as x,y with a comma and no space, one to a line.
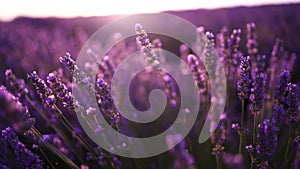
259,128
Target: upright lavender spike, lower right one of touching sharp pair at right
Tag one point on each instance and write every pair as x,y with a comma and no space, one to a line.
257,93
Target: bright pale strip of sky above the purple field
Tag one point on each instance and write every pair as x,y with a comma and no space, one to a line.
10,9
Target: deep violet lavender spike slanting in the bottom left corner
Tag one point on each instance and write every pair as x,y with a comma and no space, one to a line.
25,157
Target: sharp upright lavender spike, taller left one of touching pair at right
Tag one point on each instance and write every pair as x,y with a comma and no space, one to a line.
244,83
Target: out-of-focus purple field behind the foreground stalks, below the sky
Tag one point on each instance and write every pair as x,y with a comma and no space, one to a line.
36,43
